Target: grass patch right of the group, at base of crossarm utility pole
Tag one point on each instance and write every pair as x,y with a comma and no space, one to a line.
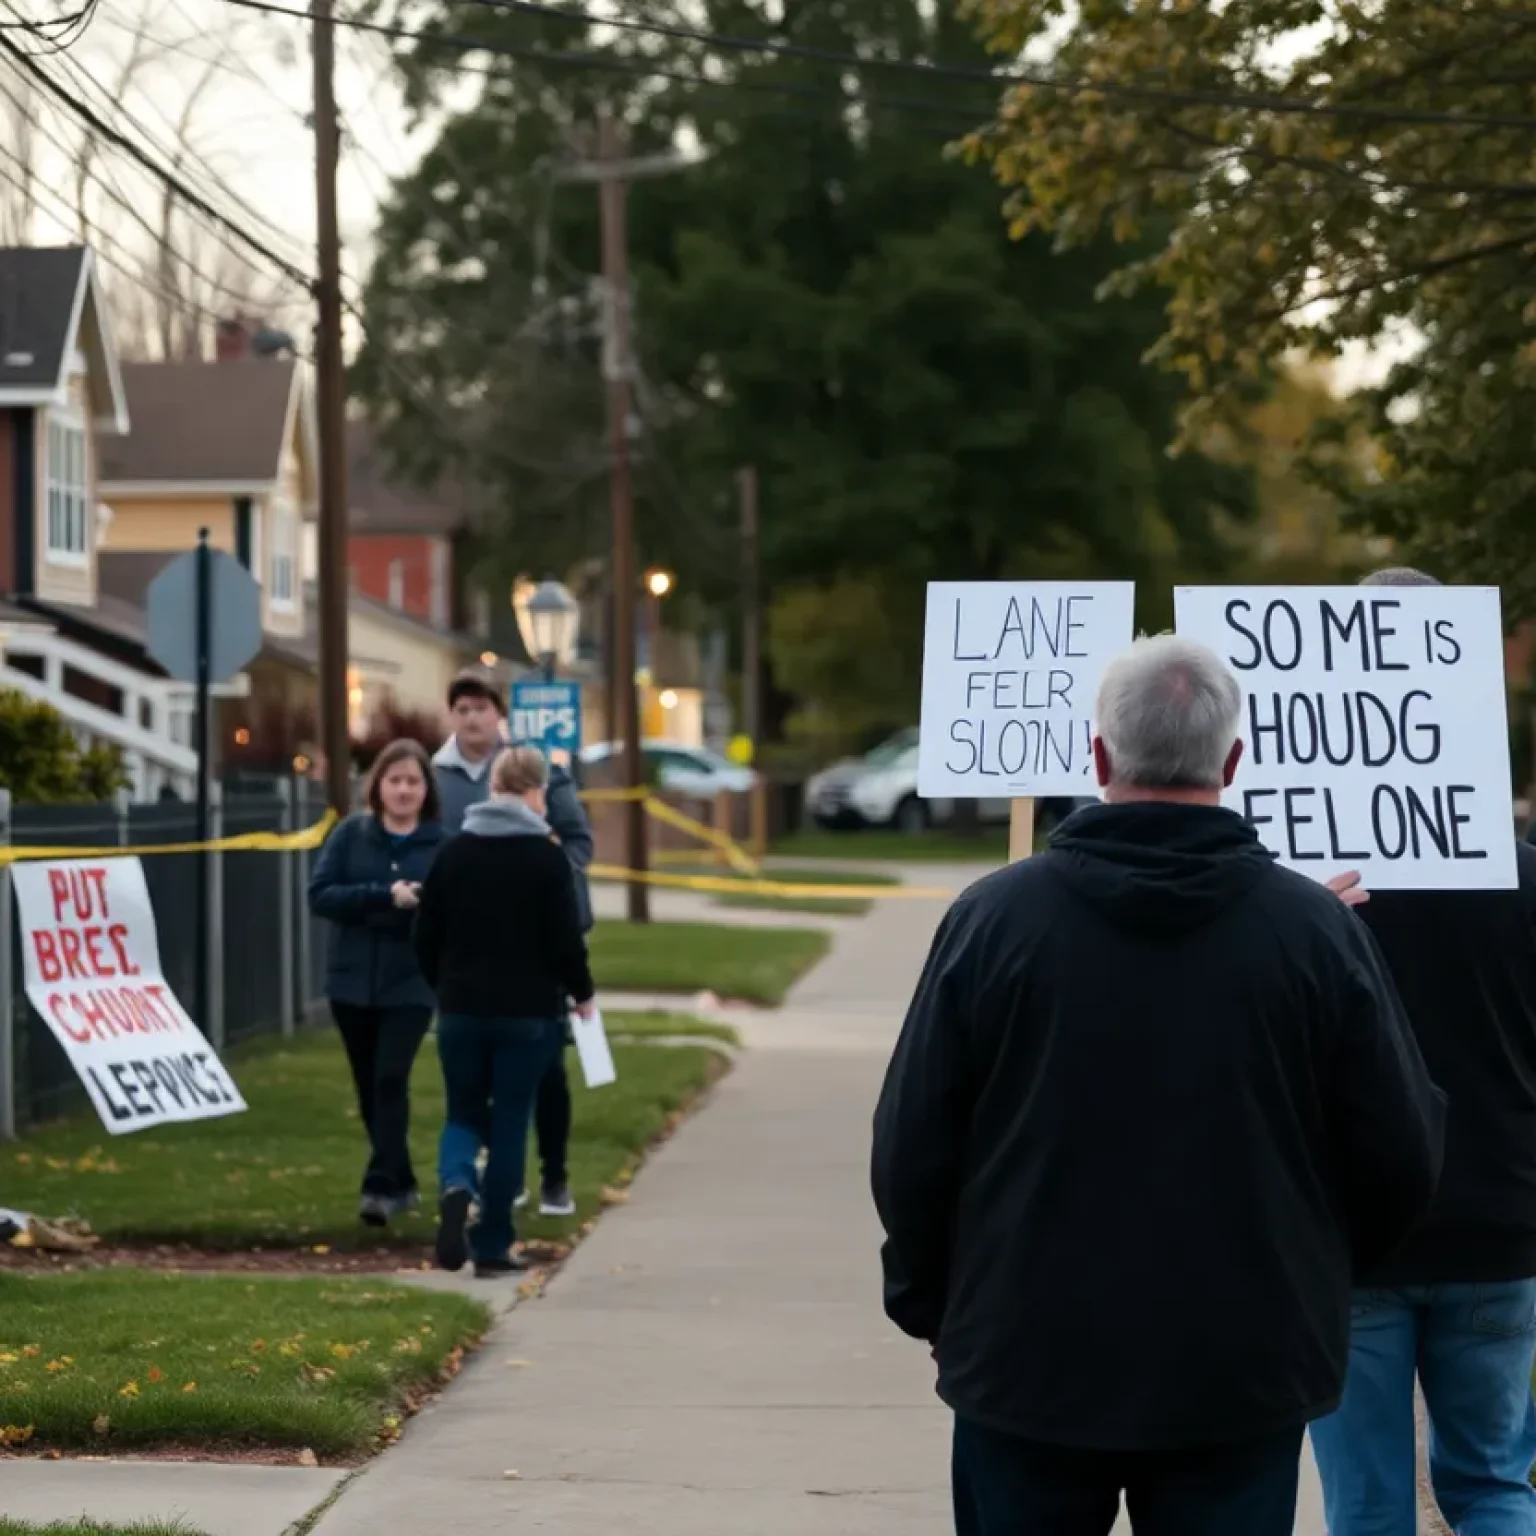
756,965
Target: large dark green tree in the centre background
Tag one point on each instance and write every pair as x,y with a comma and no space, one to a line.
824,293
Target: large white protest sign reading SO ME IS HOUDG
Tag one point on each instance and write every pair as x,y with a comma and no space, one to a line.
1374,729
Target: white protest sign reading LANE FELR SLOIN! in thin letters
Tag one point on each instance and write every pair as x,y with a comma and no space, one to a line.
1010,677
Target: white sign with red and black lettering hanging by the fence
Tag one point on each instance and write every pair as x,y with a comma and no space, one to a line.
91,964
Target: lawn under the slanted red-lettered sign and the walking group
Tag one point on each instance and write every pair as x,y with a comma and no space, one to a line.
286,1174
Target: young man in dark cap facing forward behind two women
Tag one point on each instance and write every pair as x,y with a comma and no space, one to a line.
463,767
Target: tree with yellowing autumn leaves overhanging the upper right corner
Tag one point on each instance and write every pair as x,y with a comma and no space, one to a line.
1319,174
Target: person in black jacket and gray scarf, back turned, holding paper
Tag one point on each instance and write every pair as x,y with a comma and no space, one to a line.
500,938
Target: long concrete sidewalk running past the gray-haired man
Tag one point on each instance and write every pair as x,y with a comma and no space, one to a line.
715,1360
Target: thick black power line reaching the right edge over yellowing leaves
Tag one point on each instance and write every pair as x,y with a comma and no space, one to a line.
1167,96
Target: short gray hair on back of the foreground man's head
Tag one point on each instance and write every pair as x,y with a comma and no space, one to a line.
1168,715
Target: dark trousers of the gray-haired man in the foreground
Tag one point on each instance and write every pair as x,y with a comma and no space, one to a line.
1015,1488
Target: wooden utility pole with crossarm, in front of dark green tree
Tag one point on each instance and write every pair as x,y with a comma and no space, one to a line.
614,196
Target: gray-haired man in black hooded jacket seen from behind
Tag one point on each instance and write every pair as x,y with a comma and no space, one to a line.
1153,1102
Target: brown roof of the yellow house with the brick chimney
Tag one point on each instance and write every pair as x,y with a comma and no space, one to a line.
217,428
